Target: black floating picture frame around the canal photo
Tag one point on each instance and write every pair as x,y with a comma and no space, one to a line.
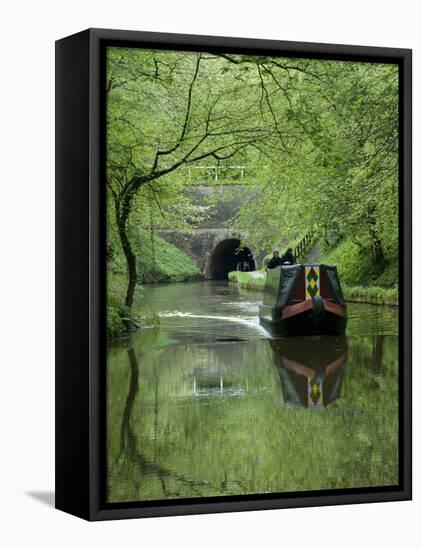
80,274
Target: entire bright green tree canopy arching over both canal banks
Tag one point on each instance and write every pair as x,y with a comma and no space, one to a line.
319,139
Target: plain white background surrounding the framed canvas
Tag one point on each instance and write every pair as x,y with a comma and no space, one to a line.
27,36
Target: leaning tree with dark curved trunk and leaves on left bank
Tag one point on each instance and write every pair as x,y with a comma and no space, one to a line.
166,110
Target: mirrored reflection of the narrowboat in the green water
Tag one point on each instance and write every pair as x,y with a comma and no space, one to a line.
311,369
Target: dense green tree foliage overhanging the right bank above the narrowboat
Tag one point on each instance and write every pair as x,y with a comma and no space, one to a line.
342,177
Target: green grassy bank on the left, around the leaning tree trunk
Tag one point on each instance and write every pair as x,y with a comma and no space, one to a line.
159,262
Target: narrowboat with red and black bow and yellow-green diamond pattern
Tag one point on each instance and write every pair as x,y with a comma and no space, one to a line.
303,299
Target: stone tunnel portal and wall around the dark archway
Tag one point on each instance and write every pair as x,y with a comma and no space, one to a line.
213,246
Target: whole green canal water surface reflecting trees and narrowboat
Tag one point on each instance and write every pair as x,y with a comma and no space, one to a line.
208,404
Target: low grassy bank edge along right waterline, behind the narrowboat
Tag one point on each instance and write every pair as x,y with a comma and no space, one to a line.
368,295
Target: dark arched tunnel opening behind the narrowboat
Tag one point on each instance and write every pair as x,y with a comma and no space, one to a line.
227,256
